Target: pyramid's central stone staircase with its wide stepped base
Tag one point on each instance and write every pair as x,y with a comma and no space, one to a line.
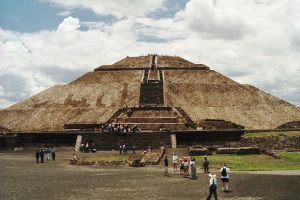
152,115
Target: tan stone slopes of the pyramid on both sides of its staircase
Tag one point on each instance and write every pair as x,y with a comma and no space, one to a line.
202,93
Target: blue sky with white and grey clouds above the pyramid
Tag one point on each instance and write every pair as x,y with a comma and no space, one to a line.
48,42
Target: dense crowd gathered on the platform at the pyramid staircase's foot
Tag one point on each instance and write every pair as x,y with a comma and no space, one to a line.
120,128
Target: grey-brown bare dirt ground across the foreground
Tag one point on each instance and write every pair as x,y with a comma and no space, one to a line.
22,178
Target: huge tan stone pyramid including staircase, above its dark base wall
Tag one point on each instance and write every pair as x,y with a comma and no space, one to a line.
154,91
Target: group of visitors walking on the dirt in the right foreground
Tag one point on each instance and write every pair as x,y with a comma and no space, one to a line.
187,168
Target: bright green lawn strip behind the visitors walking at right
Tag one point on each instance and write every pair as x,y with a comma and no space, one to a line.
288,161
